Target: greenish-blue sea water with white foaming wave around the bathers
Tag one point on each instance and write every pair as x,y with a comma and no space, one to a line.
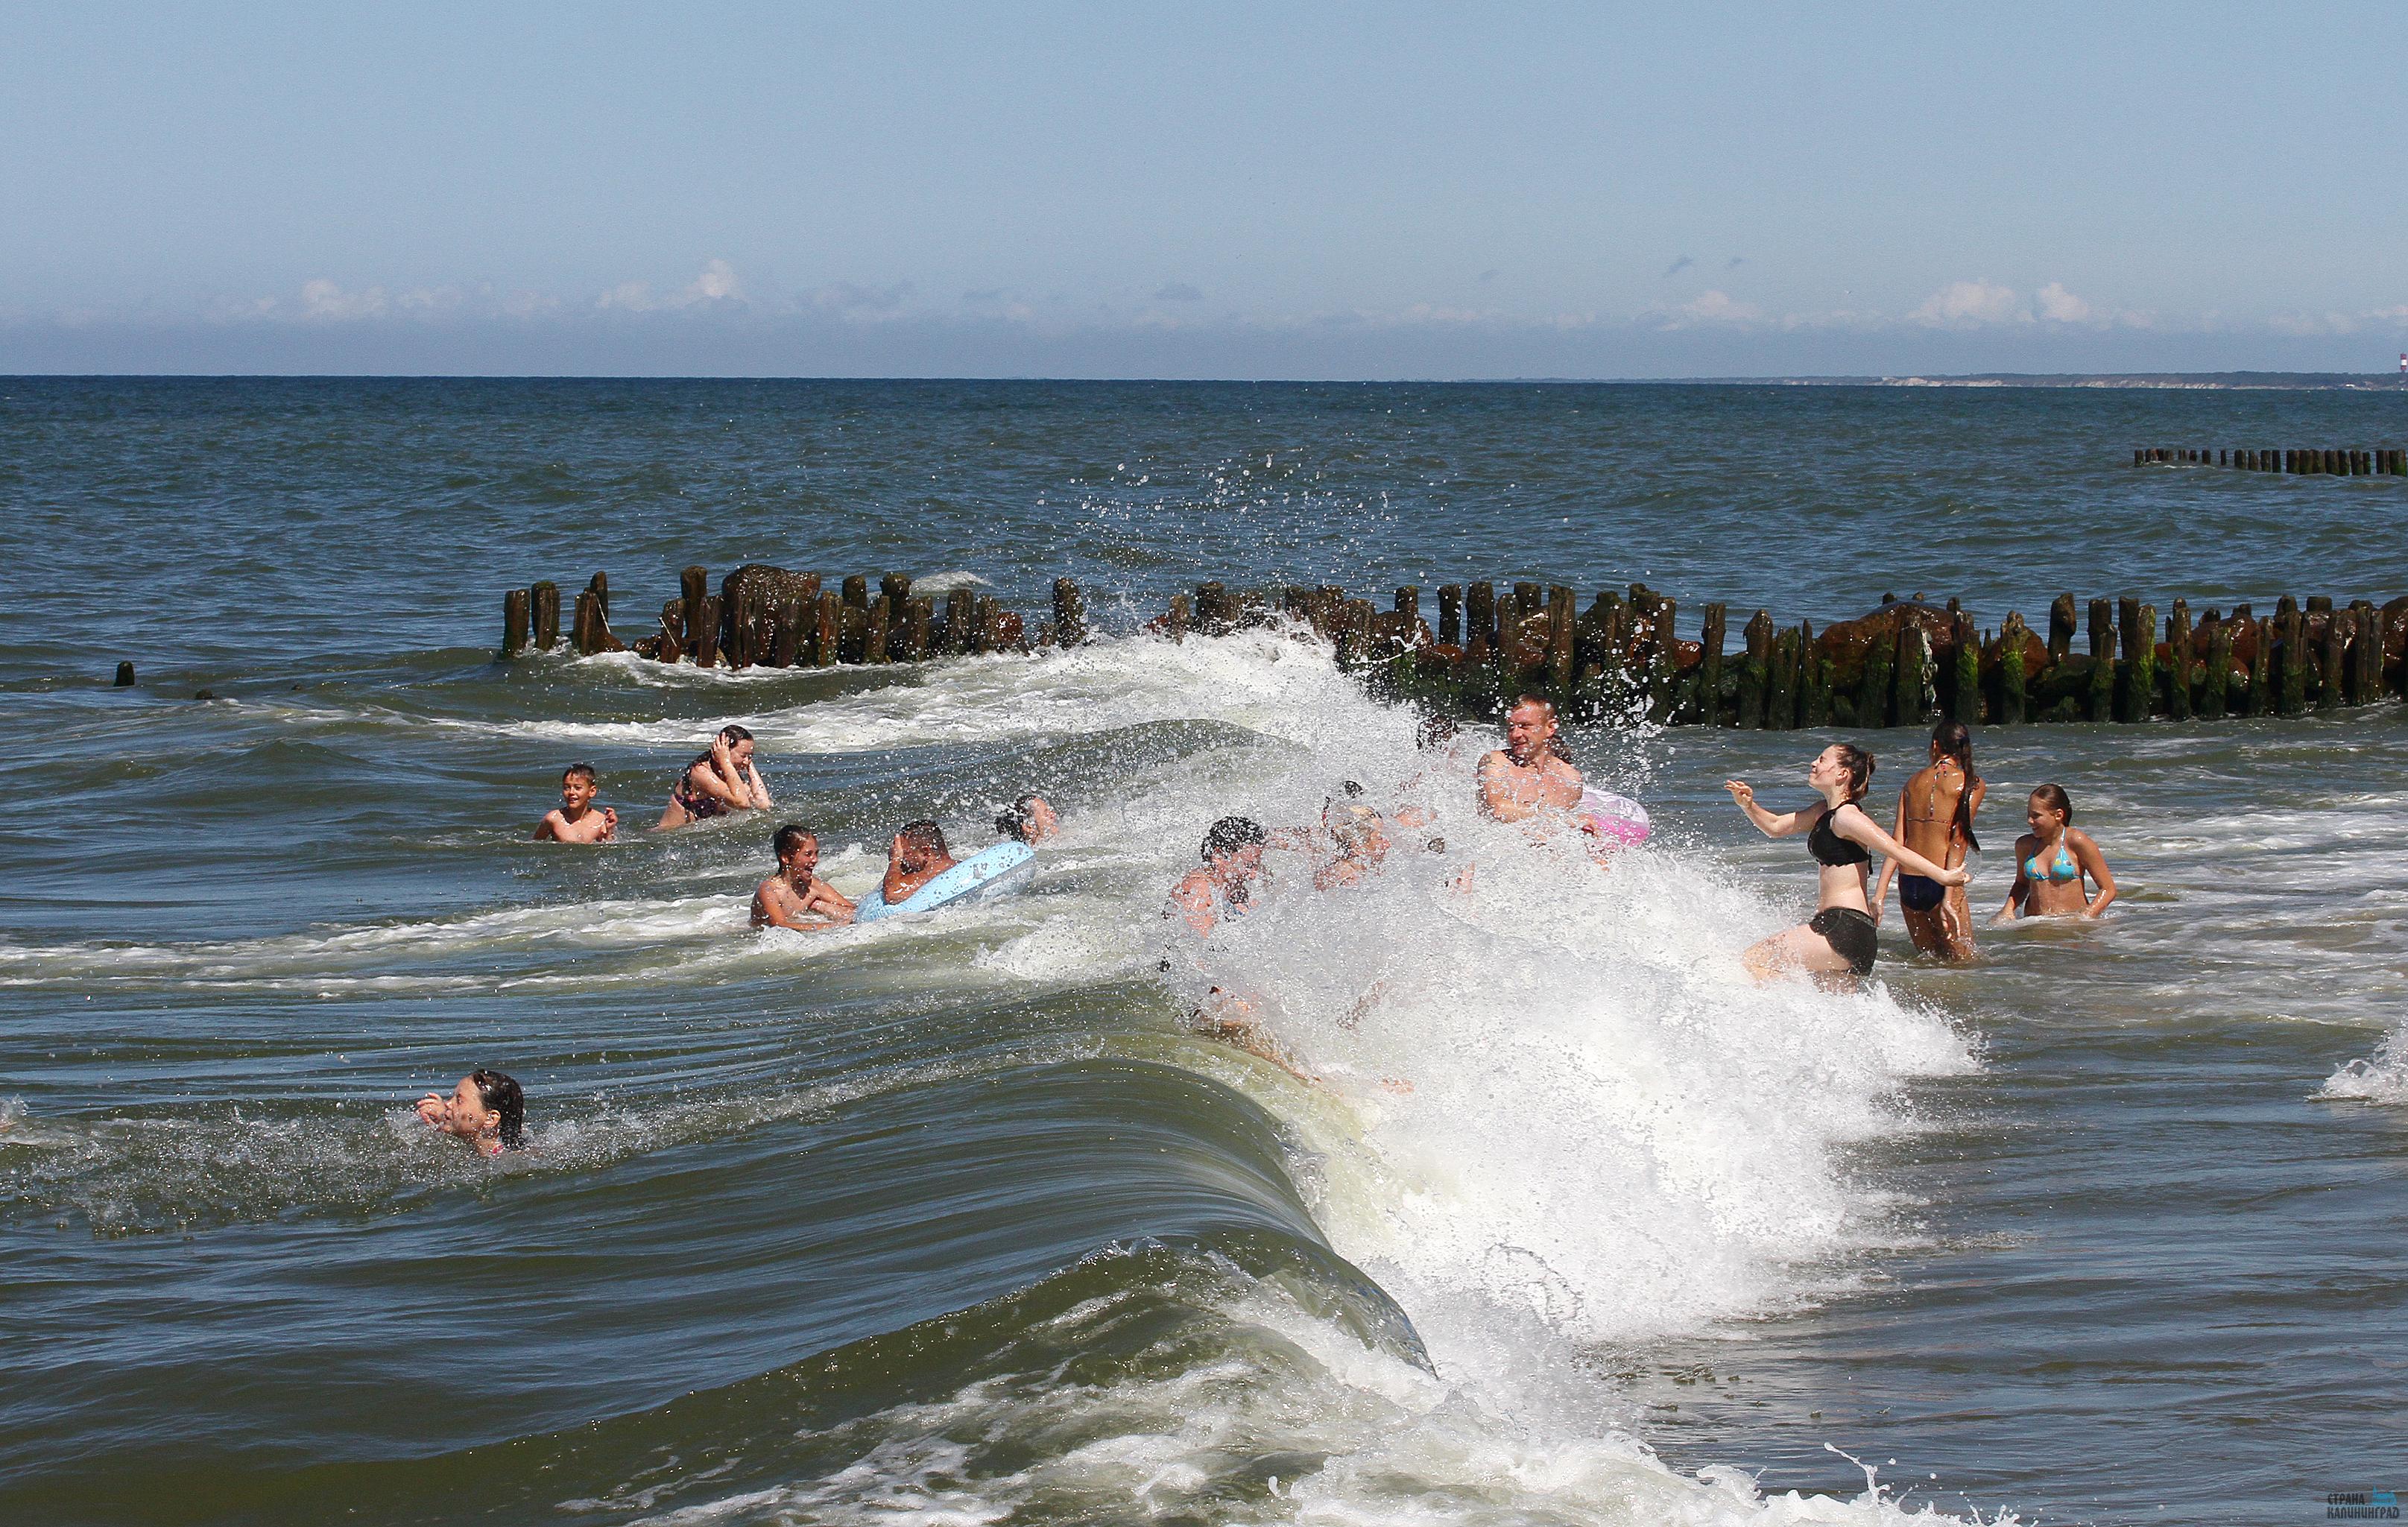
960,1220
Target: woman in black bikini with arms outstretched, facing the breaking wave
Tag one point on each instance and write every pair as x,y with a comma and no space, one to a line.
1839,943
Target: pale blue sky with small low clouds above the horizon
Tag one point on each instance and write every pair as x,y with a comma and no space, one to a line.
1203,191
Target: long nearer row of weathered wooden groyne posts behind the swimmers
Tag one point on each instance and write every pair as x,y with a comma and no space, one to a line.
1615,659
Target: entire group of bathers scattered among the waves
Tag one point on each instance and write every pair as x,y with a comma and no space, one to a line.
1525,782
